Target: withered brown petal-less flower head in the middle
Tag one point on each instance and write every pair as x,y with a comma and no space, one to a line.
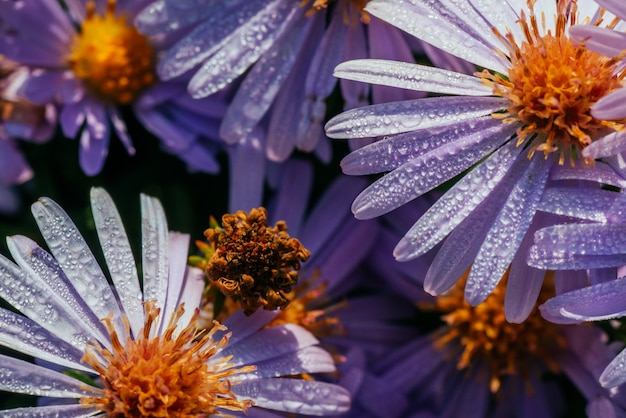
254,263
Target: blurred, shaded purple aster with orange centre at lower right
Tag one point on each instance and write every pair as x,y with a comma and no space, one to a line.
475,363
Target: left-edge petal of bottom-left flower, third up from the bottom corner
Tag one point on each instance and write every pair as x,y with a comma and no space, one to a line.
26,336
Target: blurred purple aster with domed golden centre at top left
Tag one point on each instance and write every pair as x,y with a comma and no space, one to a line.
89,60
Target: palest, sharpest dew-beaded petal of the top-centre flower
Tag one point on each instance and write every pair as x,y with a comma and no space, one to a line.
244,48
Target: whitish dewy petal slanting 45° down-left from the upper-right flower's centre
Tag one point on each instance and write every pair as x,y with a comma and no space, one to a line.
450,210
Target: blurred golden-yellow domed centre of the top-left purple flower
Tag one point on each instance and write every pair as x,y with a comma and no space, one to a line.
114,60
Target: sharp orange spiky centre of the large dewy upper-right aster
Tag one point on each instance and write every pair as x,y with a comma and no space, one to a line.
552,84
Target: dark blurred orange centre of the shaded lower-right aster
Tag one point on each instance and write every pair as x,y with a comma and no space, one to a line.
481,335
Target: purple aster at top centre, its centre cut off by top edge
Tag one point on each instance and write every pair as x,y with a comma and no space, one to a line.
287,49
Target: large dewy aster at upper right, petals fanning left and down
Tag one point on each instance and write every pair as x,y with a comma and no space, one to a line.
526,113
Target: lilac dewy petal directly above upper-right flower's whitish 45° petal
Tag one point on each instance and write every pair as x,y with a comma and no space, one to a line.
428,171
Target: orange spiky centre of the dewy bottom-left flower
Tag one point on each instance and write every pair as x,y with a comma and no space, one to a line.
167,375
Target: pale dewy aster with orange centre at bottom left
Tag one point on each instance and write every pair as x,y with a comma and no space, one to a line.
136,351
